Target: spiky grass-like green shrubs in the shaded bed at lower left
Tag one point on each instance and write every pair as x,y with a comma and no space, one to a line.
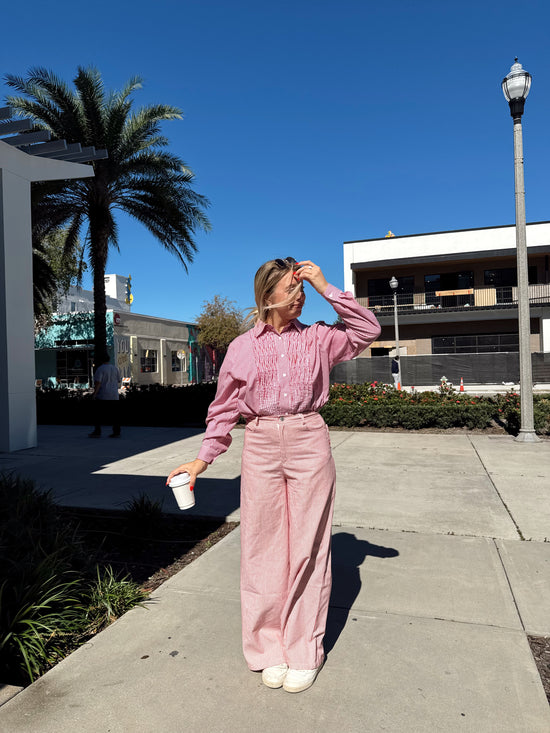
52,597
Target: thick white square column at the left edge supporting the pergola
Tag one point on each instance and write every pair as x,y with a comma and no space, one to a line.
17,392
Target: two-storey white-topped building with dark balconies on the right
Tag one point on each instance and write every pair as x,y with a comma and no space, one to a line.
457,300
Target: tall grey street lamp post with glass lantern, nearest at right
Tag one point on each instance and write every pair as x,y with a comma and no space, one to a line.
516,87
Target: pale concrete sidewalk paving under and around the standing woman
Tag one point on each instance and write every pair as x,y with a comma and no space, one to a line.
434,594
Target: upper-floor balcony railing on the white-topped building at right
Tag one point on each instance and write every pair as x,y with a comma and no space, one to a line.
426,300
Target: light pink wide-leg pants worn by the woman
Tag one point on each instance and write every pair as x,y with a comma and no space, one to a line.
287,500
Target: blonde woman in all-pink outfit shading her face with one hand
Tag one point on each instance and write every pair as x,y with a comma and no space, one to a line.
277,376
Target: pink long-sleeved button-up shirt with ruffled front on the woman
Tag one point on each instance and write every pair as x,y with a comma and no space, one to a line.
270,373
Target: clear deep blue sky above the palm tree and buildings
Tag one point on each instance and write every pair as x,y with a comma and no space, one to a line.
309,123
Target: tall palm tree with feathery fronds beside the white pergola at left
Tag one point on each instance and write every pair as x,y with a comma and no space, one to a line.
139,177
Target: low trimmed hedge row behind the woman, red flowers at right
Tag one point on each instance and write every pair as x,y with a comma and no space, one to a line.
371,405
